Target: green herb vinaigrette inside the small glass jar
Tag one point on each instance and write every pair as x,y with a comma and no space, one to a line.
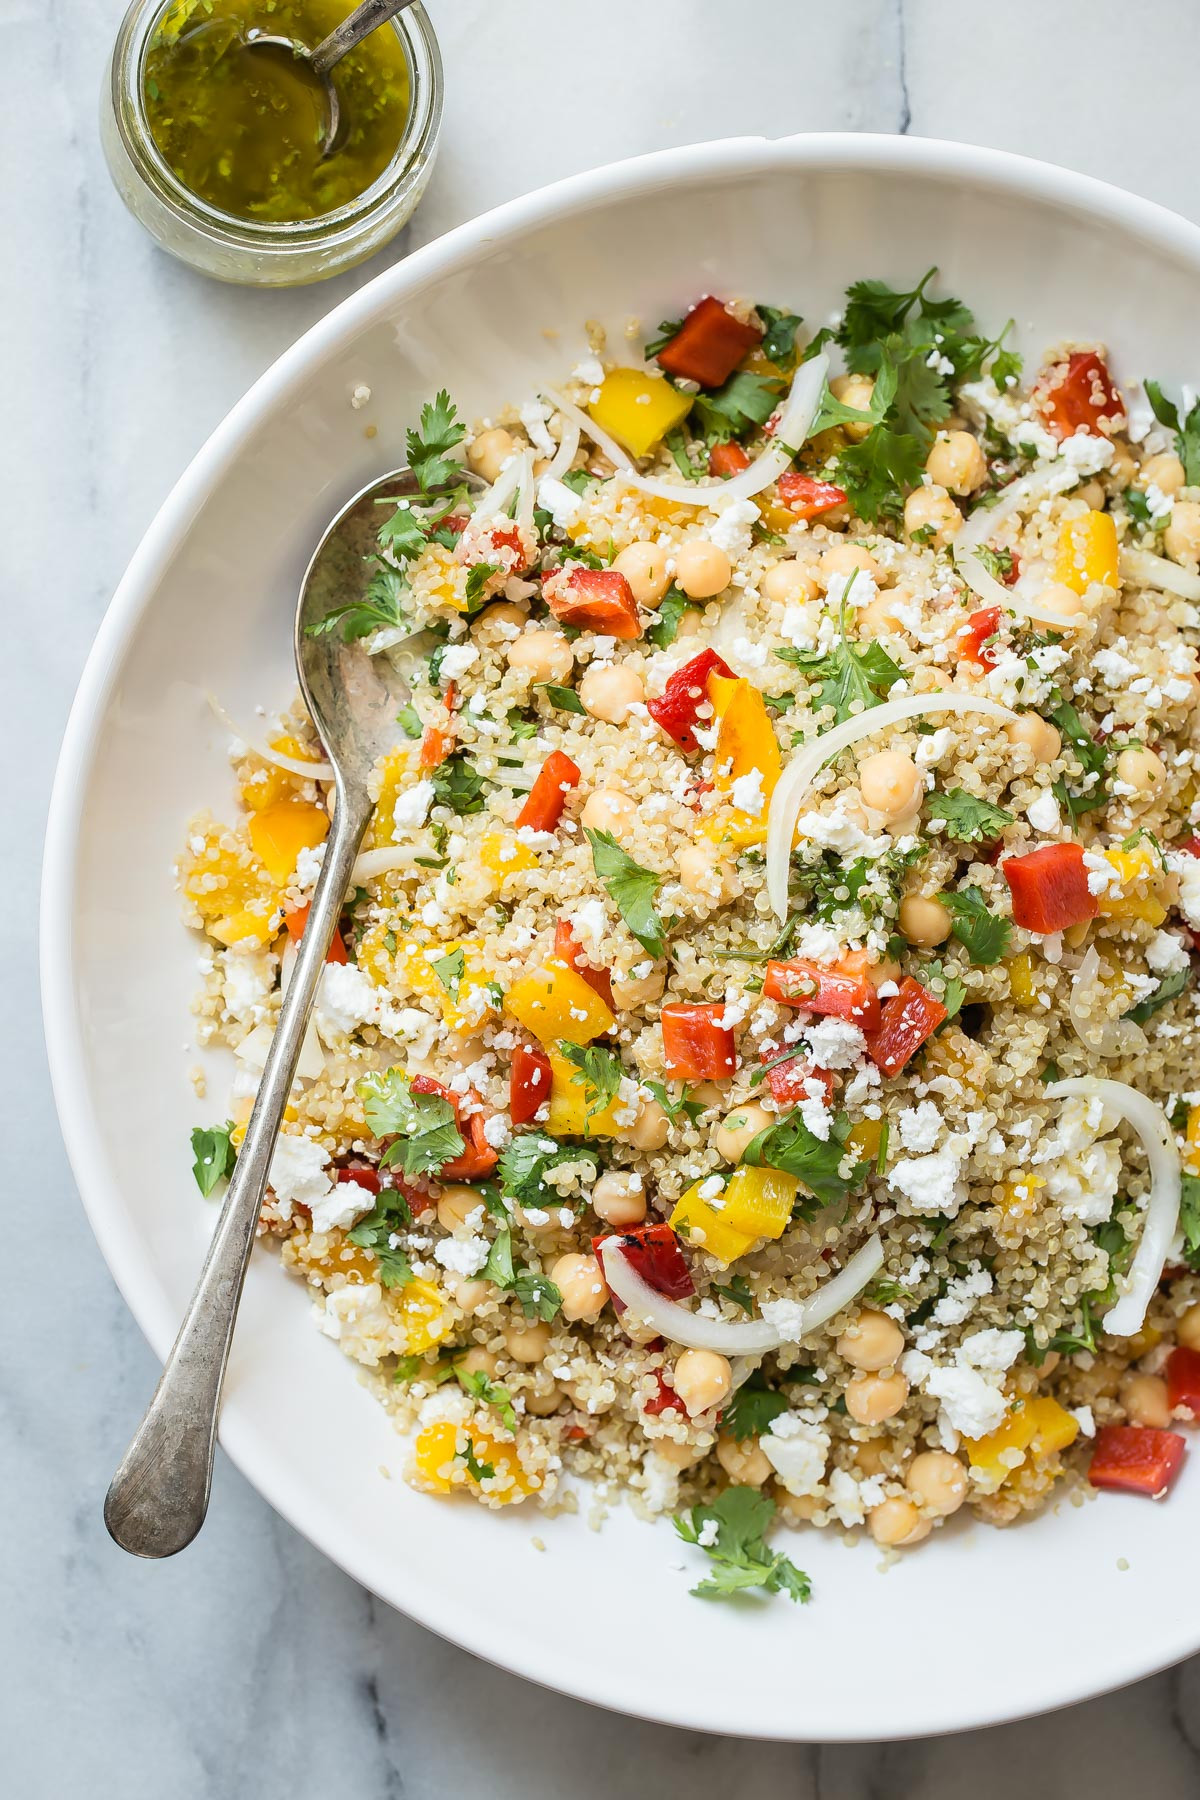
244,129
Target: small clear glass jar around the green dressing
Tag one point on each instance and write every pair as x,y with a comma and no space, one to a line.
265,255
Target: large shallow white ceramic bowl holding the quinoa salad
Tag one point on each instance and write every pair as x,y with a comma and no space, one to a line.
978,1626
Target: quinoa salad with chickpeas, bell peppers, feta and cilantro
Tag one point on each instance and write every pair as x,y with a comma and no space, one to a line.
755,1074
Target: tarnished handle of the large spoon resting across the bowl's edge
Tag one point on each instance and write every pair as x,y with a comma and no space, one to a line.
159,1497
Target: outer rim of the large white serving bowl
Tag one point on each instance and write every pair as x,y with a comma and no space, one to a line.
121,1246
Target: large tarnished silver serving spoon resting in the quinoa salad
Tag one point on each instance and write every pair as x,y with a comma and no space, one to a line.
159,1497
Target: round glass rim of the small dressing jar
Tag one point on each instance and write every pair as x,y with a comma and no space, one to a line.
425,76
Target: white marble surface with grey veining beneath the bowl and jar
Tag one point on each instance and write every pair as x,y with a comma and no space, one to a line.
251,1664
